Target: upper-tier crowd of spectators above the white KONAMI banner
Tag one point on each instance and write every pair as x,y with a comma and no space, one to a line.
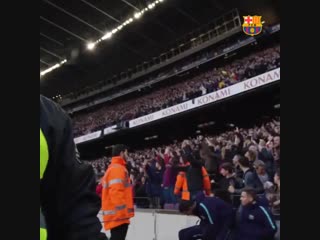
207,82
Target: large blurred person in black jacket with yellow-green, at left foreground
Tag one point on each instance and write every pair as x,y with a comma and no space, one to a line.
68,201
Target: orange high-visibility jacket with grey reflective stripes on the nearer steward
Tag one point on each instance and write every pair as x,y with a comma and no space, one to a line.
117,196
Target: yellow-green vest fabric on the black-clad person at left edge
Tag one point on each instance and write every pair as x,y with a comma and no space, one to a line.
44,157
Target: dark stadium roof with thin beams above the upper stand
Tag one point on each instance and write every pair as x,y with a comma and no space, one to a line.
66,28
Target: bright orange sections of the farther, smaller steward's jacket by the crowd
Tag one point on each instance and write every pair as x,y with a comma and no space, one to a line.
182,183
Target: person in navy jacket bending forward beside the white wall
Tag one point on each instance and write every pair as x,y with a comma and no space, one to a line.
216,216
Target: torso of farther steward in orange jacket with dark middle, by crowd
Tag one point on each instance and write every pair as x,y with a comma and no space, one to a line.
193,180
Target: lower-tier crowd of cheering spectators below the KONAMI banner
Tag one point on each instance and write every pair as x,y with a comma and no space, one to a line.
234,159
